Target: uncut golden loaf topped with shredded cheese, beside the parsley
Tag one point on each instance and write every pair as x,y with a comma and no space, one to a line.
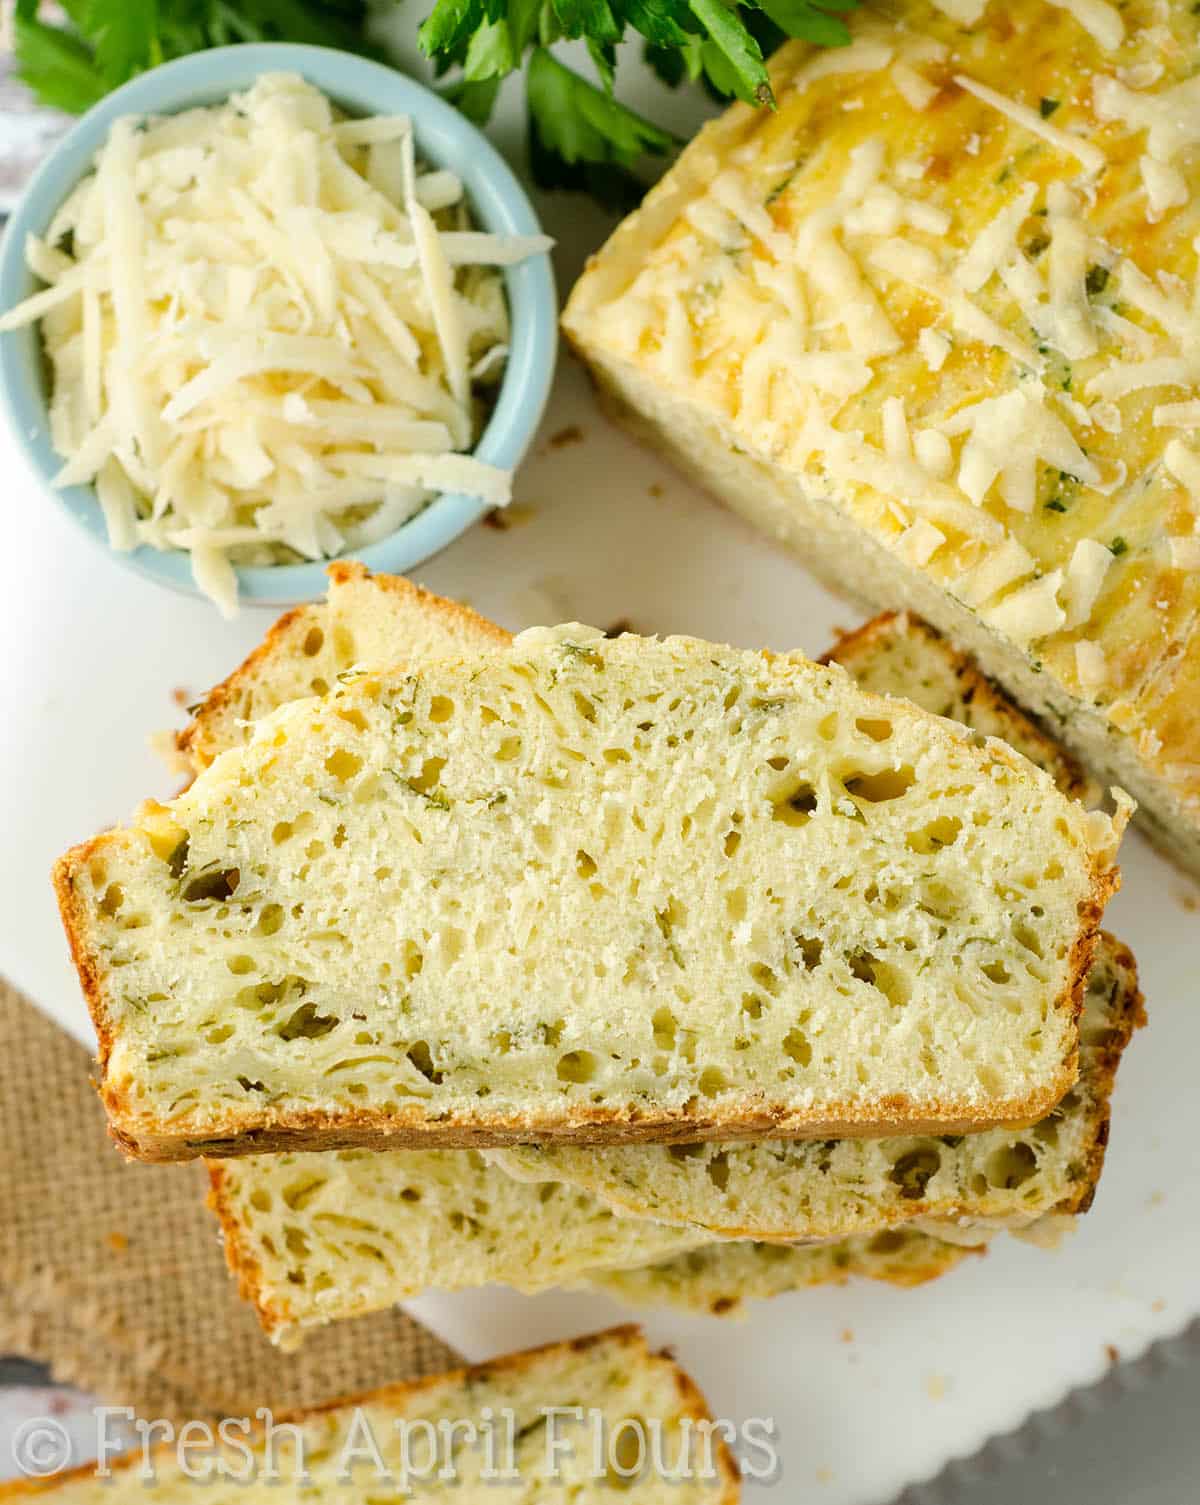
931,324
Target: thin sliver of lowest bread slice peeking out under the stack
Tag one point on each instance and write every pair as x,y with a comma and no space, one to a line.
719,1278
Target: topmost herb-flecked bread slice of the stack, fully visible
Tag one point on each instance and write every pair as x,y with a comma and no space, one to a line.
589,890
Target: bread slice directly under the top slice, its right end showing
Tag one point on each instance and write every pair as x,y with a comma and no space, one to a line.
958,1187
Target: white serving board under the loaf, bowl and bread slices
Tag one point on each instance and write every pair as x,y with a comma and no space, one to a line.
871,1390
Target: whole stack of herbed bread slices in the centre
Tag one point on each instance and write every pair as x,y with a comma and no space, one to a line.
657,967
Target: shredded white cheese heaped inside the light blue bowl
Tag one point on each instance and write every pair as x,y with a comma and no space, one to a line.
272,333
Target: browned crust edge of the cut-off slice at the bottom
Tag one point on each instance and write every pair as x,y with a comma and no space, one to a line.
629,1336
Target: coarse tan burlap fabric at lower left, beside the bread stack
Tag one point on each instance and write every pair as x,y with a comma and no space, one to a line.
114,1274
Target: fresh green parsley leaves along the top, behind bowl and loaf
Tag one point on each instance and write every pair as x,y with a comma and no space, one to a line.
580,135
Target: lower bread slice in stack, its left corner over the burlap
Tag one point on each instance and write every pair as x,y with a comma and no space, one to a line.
318,1238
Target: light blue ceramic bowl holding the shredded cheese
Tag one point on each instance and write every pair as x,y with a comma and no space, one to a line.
445,139
